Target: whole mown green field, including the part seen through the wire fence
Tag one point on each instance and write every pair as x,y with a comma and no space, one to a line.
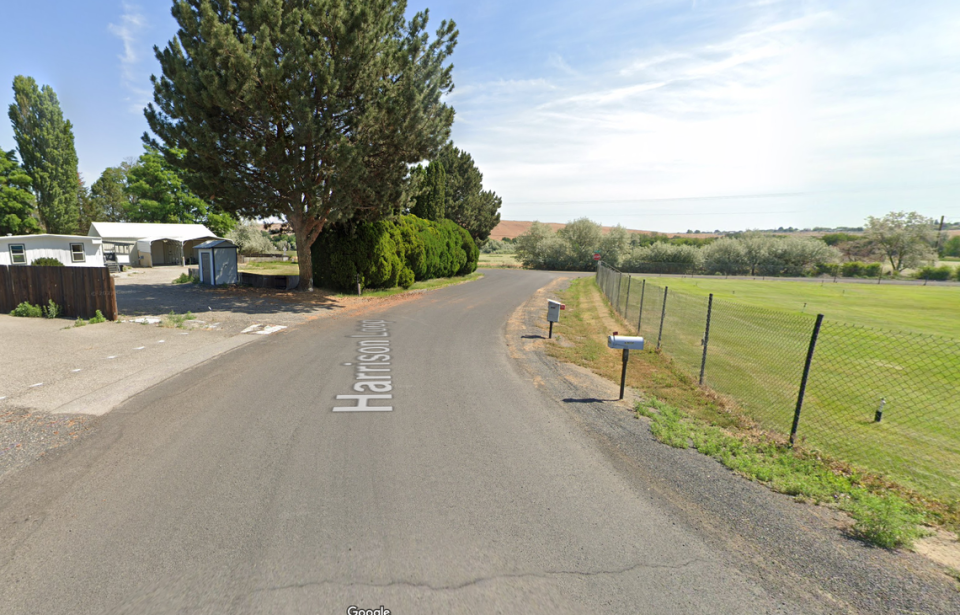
893,343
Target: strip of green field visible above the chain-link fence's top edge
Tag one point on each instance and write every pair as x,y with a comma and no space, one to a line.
923,309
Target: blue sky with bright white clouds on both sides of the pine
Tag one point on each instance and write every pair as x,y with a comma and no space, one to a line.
655,114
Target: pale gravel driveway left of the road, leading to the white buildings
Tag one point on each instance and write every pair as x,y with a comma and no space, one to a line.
55,378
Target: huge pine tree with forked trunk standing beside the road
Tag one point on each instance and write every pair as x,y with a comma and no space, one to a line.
307,109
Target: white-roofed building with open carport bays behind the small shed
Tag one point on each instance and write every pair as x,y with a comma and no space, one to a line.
146,244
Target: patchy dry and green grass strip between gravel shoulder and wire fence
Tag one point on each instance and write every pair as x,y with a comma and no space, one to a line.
684,415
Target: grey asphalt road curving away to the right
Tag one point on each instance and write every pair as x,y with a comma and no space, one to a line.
235,488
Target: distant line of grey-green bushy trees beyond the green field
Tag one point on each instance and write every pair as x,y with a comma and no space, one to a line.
902,240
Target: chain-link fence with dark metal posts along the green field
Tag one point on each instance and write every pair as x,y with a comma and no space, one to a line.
887,401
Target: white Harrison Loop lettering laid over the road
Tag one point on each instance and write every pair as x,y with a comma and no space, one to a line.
373,379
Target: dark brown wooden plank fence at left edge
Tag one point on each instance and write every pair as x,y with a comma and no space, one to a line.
79,291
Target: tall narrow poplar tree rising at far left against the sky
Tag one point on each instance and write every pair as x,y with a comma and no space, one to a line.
45,142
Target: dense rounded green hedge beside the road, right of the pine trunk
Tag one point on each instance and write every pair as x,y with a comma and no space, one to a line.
390,253
